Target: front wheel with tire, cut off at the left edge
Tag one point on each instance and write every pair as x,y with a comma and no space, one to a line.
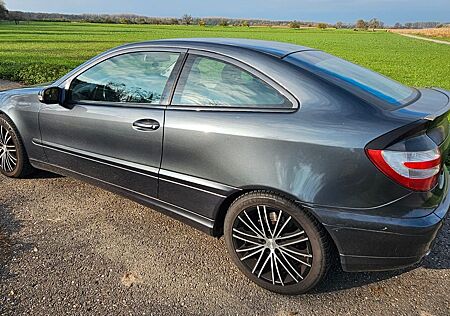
14,161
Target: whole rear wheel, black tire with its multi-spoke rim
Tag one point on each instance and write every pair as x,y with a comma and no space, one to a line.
292,263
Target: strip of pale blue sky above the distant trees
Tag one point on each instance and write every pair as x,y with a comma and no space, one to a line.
389,11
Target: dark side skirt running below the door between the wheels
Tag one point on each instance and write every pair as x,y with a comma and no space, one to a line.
197,221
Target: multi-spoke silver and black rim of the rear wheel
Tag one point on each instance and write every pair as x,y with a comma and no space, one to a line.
272,245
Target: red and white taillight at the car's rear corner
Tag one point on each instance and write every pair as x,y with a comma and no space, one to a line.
415,170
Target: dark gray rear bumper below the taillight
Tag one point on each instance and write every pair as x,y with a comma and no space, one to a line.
373,243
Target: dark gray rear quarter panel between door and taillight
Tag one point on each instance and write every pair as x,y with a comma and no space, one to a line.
315,154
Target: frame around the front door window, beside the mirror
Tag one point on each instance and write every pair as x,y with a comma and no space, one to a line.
167,92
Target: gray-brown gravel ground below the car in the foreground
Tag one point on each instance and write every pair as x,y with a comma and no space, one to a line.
68,248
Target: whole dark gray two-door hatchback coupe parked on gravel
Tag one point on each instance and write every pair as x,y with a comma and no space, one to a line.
292,154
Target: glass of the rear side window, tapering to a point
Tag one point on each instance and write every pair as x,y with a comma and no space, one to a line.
206,81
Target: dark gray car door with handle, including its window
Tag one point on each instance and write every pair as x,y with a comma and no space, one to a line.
112,127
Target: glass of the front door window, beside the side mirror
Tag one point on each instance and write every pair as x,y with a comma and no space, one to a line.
129,78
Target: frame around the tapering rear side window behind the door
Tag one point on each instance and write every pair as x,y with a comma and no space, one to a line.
245,67
